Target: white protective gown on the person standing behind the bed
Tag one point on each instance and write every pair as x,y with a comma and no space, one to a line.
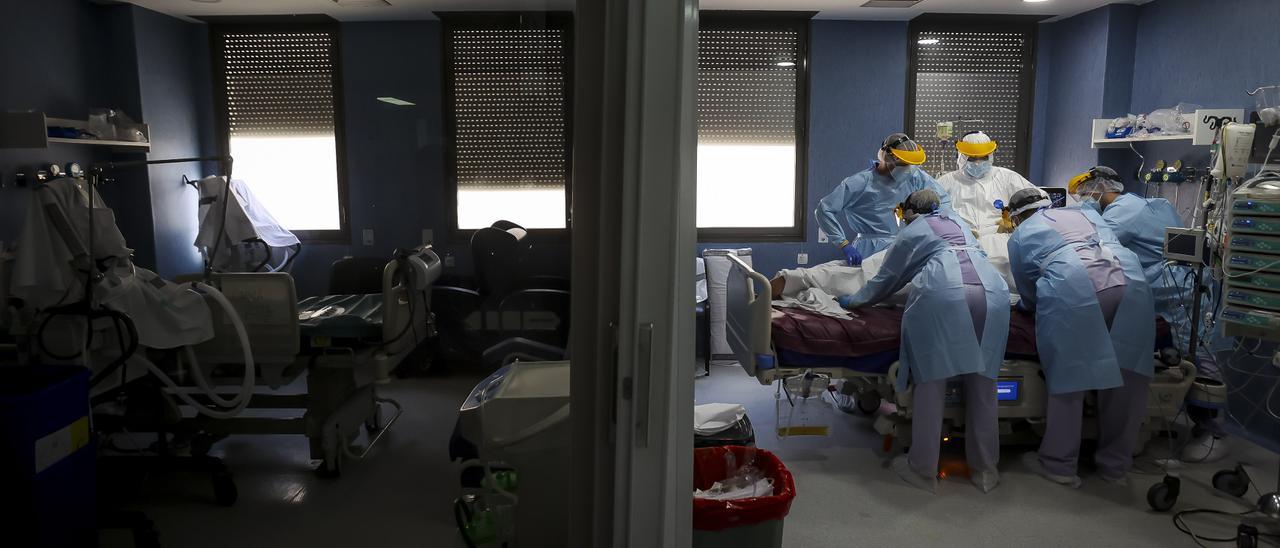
975,200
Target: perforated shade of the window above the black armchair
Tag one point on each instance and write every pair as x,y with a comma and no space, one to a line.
509,101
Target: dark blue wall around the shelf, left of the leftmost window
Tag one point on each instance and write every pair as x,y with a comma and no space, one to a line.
150,66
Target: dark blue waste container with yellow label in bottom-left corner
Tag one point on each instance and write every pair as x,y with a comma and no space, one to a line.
47,458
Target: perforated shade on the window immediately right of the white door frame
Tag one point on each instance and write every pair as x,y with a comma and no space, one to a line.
747,85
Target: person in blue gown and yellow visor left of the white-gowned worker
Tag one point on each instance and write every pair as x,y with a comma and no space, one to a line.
867,199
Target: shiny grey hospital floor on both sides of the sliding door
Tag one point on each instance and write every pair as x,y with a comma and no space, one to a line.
403,495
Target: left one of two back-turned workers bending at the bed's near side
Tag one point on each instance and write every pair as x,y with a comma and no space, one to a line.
956,326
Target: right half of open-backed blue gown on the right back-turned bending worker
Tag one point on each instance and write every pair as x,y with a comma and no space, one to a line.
1133,332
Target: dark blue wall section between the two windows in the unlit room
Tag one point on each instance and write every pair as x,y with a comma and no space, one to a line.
395,157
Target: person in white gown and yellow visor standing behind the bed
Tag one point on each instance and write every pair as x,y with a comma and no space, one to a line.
975,188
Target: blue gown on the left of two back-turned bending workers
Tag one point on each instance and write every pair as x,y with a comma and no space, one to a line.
939,336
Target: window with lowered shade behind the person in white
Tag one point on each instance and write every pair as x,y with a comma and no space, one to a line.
977,74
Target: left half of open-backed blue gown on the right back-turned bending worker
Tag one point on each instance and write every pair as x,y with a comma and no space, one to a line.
1048,255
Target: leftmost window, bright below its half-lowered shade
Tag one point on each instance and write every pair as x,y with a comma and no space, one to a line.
280,112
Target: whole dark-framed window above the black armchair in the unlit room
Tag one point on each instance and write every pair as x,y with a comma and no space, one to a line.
508,118
